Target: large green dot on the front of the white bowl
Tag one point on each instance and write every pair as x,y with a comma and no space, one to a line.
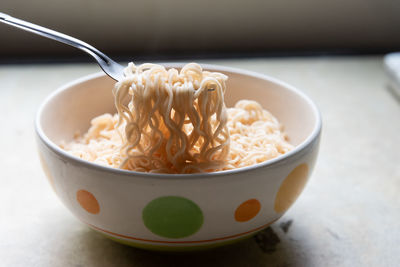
172,217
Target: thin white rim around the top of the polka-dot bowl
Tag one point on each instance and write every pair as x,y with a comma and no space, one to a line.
313,136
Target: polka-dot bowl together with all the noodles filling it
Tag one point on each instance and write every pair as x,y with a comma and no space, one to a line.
147,177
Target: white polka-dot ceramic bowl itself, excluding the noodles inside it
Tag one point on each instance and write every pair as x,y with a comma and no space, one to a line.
182,211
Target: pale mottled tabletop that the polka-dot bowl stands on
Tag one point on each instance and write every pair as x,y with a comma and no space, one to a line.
348,215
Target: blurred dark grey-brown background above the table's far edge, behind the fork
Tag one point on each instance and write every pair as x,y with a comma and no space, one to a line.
173,29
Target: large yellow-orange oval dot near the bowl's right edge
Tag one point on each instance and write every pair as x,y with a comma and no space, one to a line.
291,188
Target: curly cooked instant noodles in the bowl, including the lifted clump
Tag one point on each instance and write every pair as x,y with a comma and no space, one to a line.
172,121
